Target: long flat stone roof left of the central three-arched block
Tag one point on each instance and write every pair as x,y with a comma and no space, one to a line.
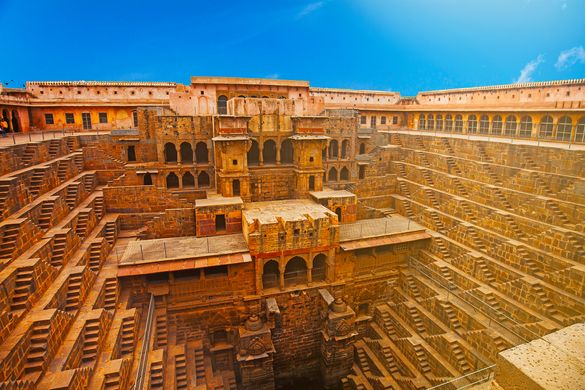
182,248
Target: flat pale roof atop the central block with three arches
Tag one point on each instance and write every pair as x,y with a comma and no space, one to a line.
288,210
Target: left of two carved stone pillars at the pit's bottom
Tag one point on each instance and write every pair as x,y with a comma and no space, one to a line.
255,355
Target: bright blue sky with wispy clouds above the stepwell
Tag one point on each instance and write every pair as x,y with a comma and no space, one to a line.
399,45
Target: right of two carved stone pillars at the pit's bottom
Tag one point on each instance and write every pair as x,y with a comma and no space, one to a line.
337,338
